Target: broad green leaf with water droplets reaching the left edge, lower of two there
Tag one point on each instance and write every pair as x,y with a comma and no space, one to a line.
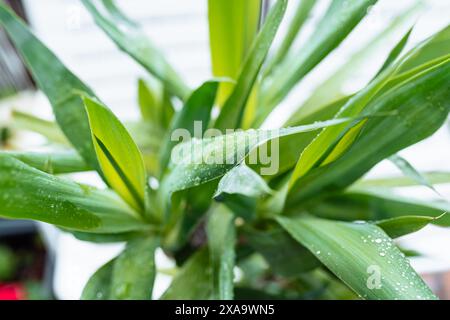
27,193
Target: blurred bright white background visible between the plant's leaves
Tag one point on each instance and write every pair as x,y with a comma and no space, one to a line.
179,28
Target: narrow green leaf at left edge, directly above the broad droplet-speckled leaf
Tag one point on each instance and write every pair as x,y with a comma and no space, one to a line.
52,162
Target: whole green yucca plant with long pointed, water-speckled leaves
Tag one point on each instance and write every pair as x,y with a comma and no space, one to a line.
304,225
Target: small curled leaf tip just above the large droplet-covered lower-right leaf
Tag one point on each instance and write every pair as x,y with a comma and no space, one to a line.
397,227
